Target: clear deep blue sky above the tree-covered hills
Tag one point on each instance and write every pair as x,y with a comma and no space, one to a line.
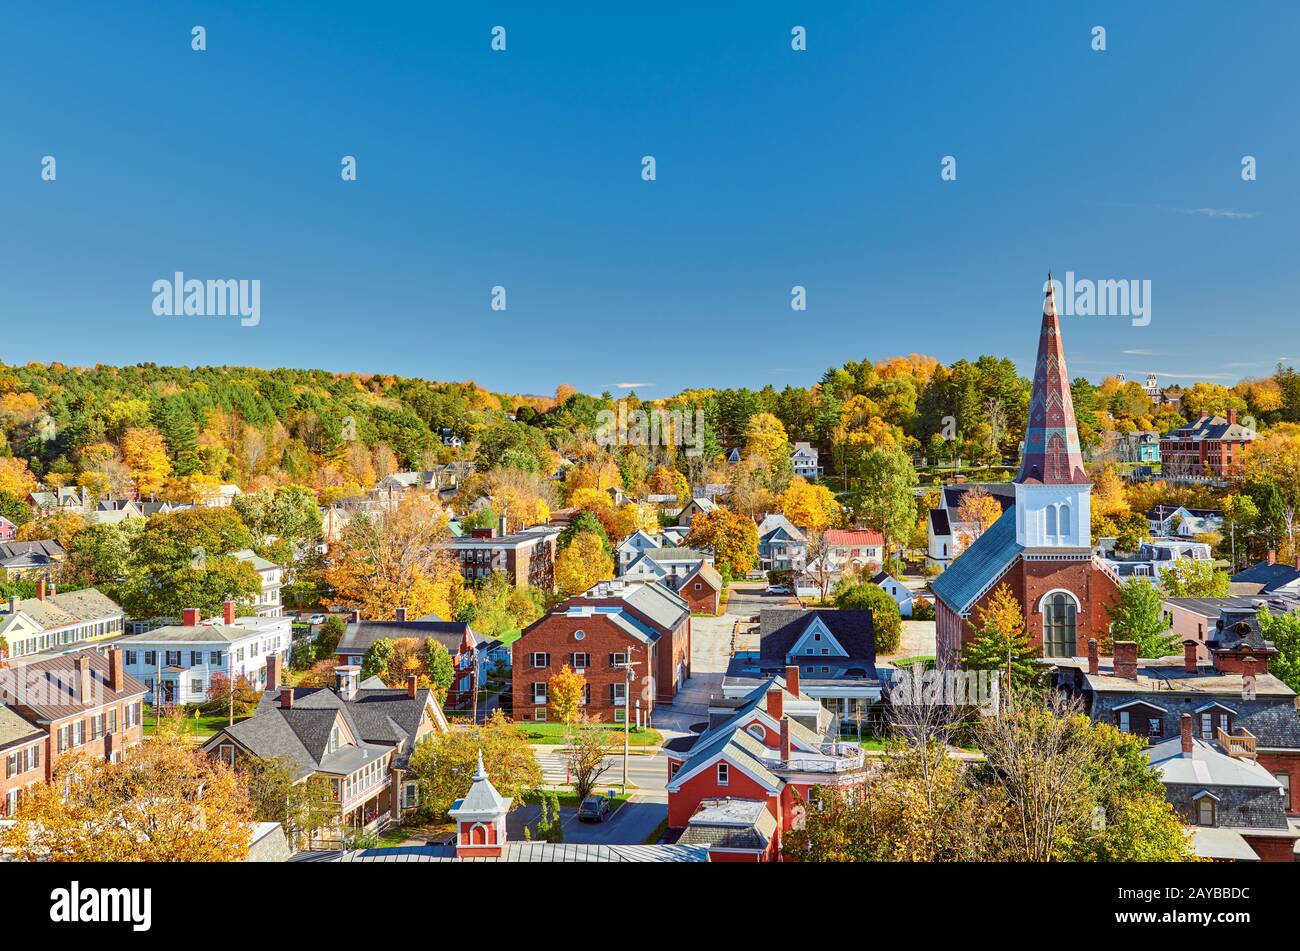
523,170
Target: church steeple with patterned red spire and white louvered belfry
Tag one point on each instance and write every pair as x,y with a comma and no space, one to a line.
1054,496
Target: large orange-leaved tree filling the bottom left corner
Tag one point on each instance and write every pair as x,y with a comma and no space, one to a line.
164,801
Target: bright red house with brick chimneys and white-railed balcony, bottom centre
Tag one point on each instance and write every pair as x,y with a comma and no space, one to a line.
749,779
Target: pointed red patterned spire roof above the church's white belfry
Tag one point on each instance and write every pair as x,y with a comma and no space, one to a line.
1052,453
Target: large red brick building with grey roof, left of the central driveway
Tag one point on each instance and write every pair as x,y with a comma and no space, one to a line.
599,635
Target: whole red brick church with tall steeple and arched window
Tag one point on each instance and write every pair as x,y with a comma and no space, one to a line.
1042,546
